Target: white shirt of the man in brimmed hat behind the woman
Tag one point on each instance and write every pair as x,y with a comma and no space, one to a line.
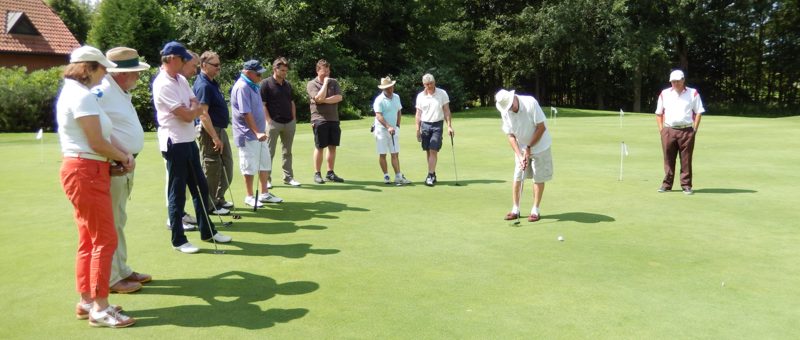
117,105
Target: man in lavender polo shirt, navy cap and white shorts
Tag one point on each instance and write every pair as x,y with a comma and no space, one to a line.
249,133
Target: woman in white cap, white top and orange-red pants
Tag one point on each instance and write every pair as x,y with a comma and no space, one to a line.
85,135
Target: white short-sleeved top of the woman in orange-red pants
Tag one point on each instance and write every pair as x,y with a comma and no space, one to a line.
76,101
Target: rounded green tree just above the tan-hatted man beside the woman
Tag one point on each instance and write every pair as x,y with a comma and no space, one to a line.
139,24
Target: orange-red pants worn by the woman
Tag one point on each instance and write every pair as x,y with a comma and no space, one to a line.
87,184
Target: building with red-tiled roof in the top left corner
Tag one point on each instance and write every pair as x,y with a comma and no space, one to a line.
32,35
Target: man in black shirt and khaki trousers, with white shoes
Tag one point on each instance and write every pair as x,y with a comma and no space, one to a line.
276,92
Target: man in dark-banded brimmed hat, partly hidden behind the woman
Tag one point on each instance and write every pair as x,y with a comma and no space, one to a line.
127,135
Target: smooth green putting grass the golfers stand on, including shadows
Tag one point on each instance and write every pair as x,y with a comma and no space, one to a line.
365,260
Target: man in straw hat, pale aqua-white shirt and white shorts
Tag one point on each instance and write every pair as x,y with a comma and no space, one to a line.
387,108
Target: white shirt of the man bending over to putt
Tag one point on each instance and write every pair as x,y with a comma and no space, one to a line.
523,124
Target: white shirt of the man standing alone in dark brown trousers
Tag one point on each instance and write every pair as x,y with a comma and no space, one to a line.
679,108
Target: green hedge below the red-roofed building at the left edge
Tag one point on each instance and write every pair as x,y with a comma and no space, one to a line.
27,100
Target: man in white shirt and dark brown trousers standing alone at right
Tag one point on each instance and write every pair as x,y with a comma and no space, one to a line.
678,114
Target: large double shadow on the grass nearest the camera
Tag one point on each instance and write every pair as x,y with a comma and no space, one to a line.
230,301
